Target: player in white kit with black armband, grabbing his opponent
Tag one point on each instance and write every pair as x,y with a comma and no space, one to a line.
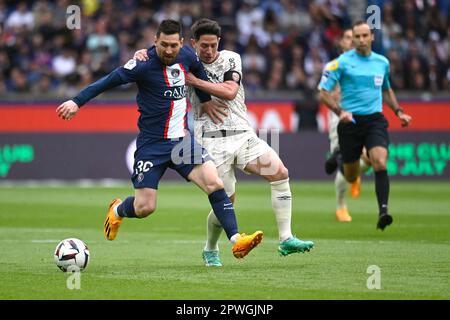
231,140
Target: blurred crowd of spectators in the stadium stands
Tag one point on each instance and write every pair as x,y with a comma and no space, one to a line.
284,44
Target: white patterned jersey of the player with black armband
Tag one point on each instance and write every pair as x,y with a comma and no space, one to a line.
237,110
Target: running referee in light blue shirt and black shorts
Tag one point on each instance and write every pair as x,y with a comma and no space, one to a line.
363,77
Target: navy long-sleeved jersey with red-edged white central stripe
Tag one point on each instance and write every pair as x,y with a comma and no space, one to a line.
161,99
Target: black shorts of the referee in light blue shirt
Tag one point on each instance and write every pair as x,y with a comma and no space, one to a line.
368,131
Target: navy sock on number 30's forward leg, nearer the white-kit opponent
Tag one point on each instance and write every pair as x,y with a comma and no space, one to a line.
224,211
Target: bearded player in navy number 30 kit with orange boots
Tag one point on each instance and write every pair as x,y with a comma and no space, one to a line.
161,142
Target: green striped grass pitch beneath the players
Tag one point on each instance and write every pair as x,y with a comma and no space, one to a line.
160,257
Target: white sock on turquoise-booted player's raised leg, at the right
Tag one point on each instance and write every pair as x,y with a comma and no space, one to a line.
282,207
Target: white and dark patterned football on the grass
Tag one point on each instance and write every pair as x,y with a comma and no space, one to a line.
71,254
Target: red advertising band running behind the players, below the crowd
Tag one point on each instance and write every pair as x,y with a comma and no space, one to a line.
122,117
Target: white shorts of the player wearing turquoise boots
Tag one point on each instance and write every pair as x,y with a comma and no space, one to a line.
232,152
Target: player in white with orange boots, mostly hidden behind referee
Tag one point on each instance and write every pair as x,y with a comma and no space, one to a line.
340,184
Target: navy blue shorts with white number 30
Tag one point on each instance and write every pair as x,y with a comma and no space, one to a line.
153,157
